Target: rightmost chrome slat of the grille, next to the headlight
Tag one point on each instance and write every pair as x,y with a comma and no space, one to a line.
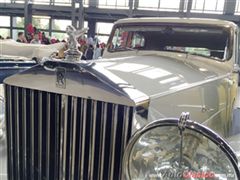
124,135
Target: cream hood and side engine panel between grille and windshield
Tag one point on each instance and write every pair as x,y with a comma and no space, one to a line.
176,82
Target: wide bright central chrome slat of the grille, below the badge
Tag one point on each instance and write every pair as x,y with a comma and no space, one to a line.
63,143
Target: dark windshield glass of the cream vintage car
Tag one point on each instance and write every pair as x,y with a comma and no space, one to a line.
204,41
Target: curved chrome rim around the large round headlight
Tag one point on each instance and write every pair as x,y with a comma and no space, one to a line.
191,125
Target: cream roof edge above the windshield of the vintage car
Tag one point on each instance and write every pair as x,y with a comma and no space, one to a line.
203,21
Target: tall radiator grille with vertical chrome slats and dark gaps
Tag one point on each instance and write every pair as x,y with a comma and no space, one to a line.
53,136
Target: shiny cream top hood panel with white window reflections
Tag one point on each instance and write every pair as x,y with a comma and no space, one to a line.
157,74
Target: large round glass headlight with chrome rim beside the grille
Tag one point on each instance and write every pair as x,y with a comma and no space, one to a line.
167,149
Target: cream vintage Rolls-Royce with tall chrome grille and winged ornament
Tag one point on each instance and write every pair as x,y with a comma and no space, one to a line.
116,118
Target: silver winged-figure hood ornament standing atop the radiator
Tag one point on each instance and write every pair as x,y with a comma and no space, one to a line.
73,54
